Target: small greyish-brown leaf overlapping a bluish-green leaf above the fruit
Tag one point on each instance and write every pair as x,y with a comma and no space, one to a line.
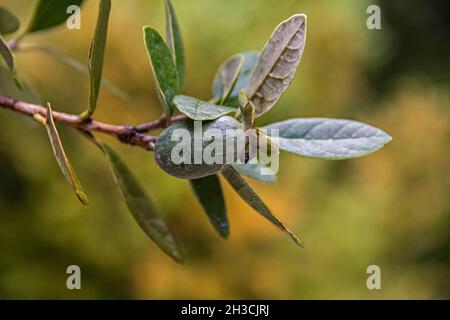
226,77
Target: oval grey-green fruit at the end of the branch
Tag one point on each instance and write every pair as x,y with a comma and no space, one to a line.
181,141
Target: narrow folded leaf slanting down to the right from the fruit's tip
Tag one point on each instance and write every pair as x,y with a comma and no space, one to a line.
249,195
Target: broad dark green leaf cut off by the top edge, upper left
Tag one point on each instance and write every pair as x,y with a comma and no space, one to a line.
50,13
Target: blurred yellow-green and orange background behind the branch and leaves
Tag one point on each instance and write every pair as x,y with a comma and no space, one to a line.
390,209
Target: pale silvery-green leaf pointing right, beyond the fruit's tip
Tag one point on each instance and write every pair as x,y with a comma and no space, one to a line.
328,138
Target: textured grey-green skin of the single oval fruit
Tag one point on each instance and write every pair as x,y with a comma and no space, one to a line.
165,145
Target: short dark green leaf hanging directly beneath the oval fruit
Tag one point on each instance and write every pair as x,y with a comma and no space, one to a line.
209,192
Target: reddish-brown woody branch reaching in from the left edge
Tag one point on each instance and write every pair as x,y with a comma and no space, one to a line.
132,135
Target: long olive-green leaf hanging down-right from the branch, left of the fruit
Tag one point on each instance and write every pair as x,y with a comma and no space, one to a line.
141,207
